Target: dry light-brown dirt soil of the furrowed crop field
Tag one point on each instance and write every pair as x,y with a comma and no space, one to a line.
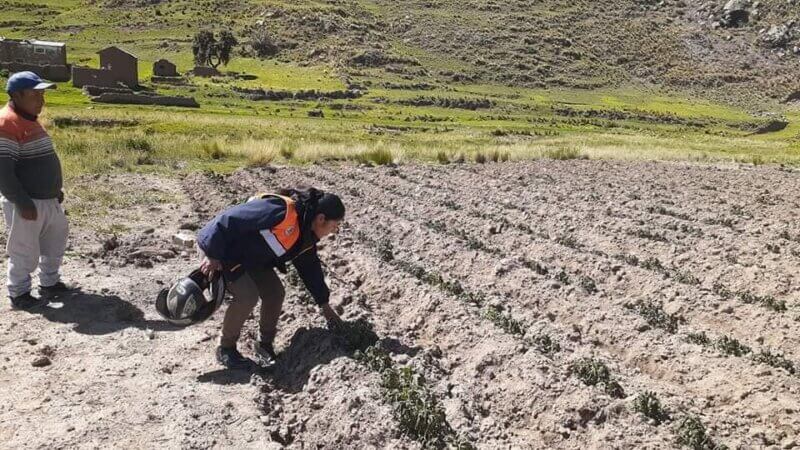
464,271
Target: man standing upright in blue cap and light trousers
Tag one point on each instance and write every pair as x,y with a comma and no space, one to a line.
30,184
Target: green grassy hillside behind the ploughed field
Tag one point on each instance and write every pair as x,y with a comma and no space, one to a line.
438,80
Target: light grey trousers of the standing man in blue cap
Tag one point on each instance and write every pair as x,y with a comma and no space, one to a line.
33,243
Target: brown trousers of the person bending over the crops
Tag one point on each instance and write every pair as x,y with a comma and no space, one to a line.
254,284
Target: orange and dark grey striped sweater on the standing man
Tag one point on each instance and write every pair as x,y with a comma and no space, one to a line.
29,166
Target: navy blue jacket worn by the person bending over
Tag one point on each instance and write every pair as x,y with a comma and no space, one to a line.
233,237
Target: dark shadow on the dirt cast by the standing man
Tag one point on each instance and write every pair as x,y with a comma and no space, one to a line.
97,314
